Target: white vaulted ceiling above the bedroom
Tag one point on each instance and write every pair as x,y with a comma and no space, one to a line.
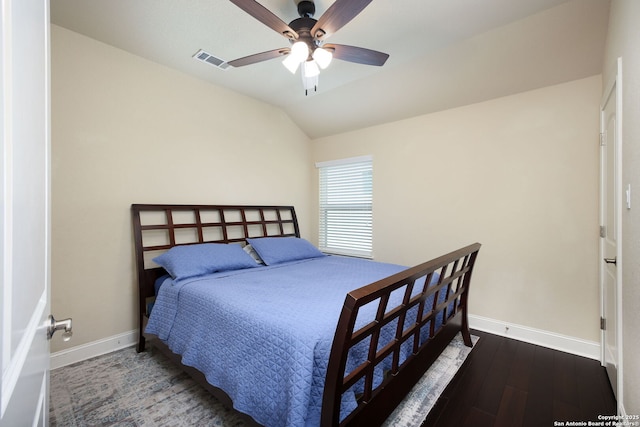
443,53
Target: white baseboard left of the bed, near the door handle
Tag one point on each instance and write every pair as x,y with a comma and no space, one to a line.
93,349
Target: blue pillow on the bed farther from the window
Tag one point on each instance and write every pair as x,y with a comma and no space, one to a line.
185,261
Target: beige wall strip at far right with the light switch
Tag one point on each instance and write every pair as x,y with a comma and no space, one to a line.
623,41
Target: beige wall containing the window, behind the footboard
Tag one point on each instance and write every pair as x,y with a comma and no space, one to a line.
518,174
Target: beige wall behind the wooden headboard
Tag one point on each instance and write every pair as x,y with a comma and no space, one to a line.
126,130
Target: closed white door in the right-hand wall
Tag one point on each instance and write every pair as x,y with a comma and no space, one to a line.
610,205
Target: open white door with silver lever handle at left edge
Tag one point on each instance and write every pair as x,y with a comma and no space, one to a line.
24,257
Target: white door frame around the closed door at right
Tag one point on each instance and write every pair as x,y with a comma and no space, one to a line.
615,84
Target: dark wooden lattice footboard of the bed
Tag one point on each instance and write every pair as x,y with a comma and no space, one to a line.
432,312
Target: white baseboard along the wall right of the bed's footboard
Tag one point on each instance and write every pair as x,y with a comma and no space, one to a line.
577,346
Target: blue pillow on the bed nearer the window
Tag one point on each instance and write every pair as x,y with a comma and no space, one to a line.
276,250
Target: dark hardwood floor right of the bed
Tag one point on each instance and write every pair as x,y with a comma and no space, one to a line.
510,383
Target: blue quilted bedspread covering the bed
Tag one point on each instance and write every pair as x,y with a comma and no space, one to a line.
264,335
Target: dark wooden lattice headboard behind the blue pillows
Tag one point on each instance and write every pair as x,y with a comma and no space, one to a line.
158,228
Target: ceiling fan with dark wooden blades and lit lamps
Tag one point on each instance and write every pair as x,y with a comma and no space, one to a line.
307,36
